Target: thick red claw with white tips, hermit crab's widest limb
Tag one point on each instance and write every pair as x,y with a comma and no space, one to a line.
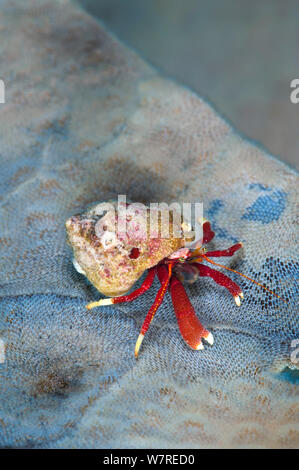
190,327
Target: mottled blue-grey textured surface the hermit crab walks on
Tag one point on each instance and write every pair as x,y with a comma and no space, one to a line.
85,119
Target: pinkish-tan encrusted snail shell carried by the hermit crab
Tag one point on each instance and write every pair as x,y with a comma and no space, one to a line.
113,261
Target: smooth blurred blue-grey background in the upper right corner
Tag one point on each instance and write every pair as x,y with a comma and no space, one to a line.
241,55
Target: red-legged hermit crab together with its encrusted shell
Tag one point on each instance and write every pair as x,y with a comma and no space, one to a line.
113,260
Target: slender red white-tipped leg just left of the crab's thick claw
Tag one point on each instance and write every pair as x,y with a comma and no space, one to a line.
164,275
